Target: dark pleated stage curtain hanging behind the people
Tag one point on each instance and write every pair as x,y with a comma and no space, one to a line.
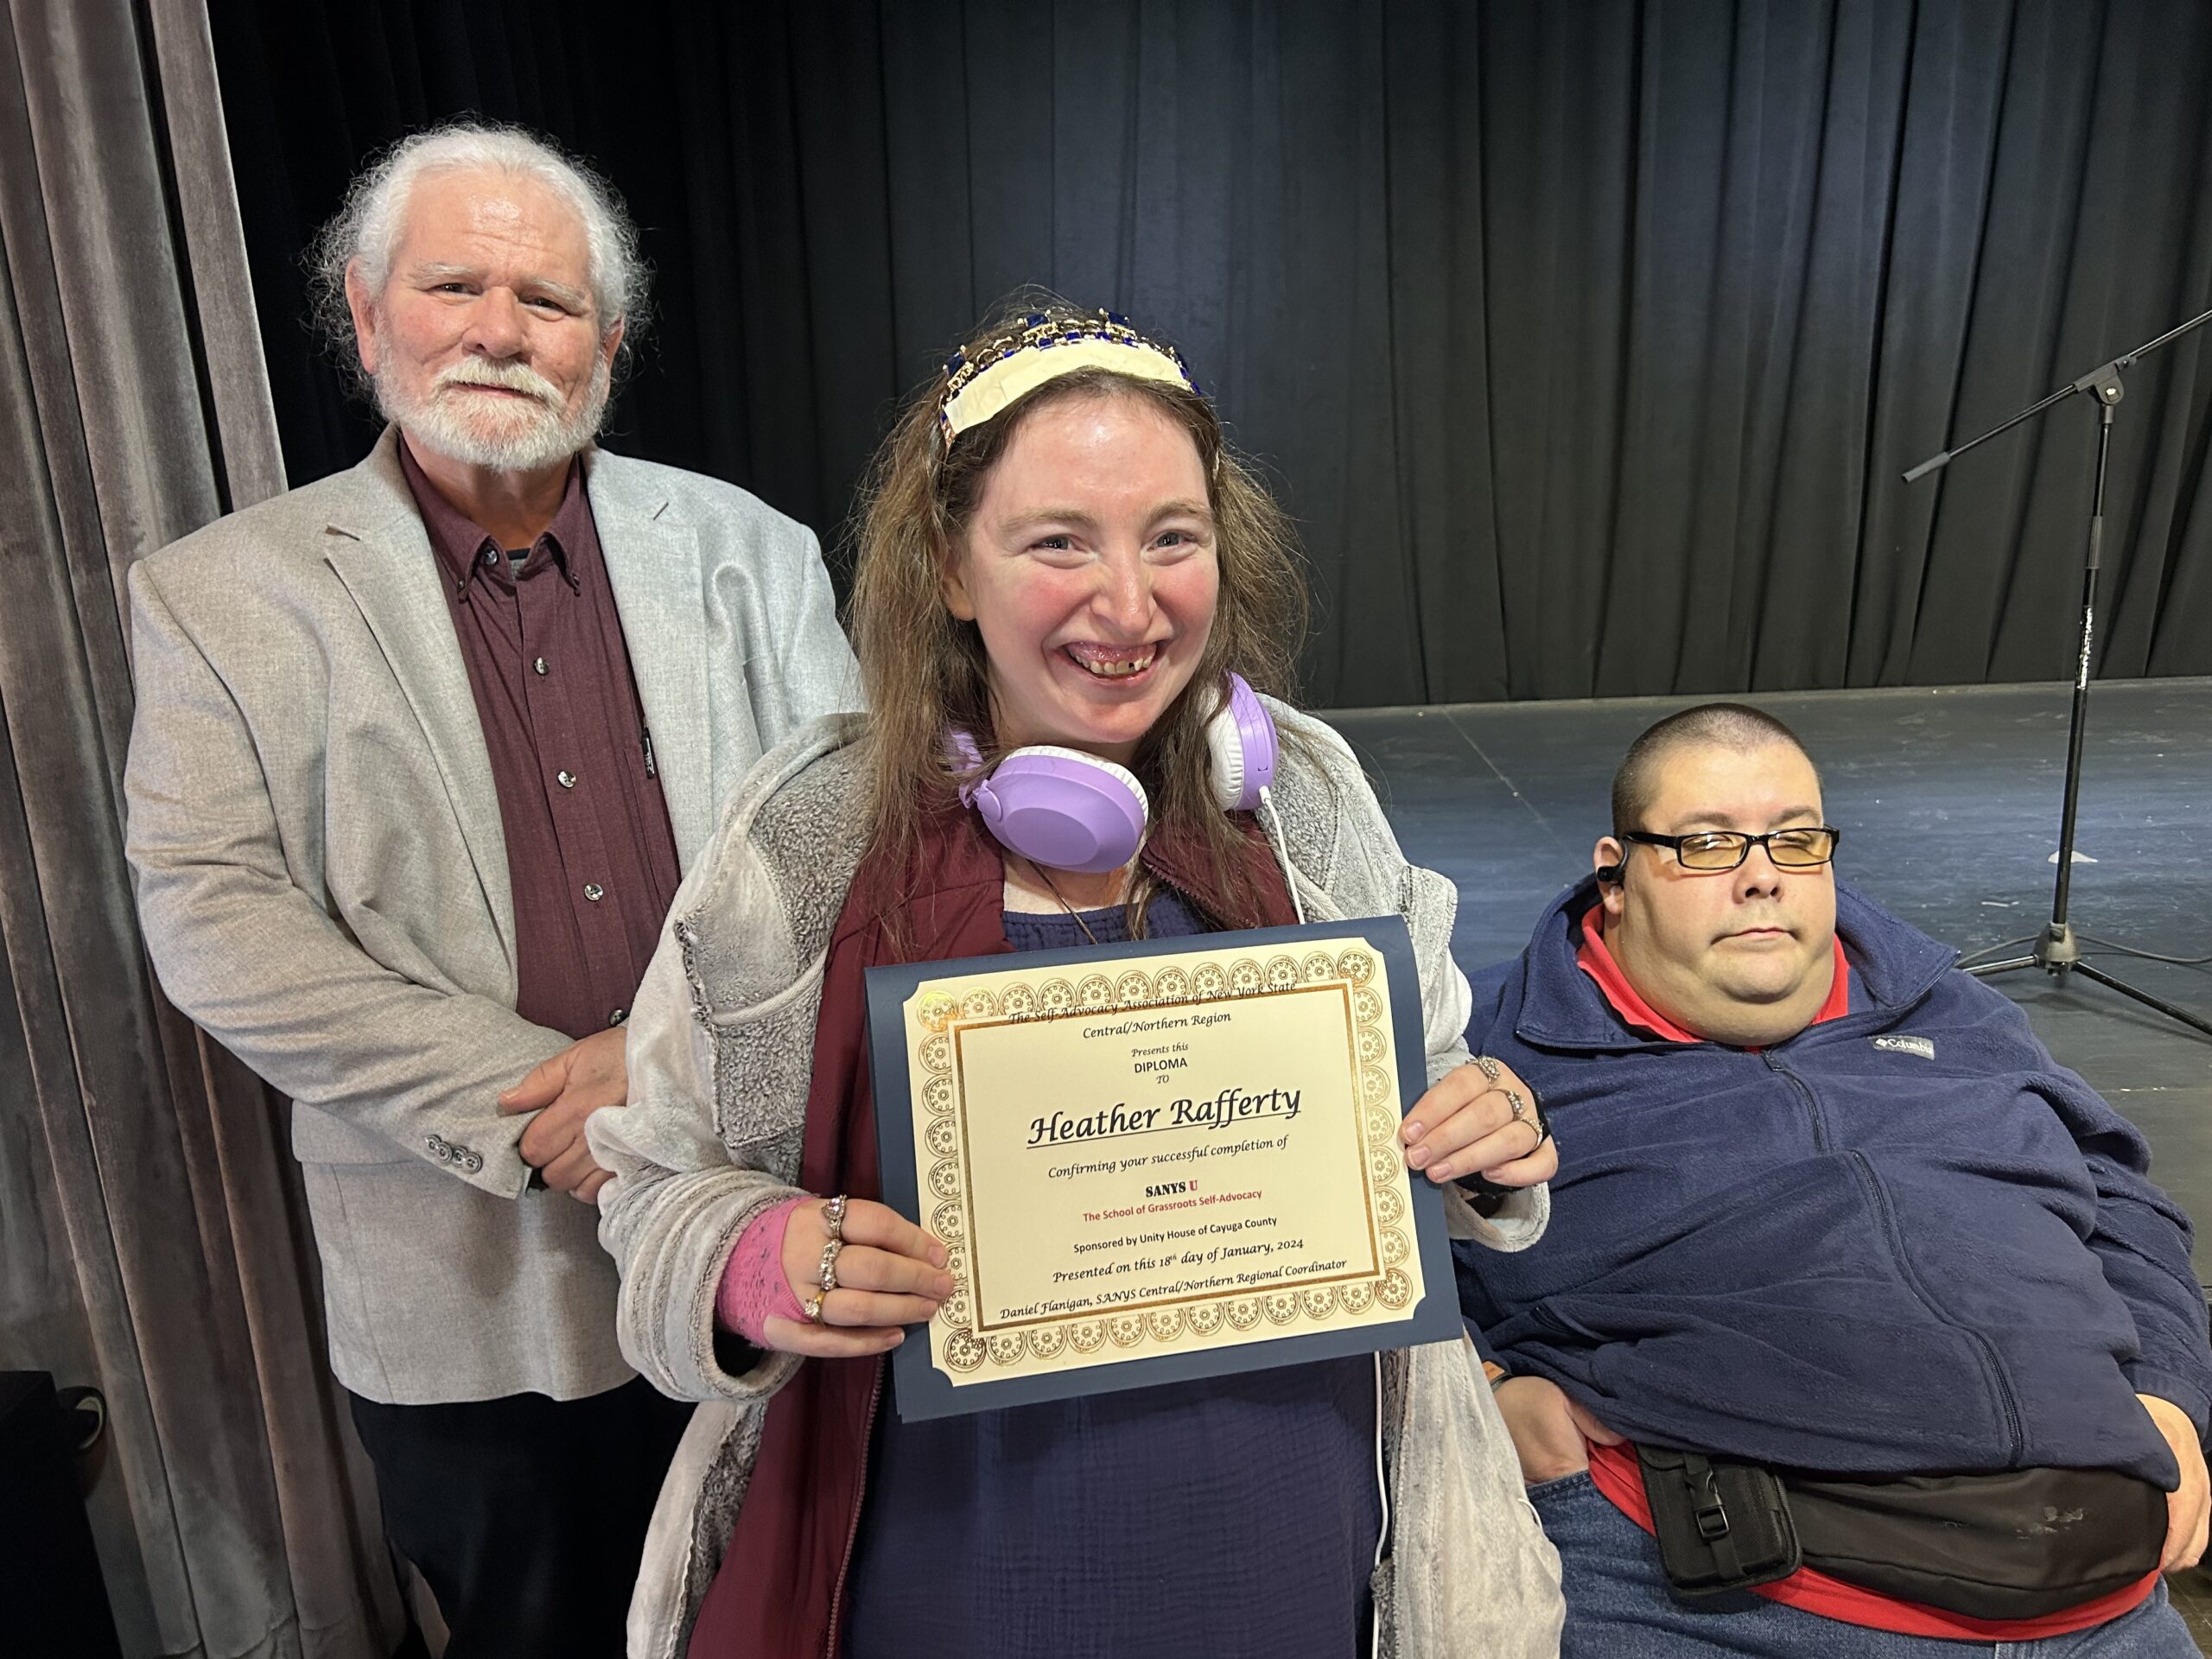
1587,340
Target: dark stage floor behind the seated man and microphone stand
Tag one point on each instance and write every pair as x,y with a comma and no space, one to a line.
1948,802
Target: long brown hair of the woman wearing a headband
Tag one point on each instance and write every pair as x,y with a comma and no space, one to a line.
926,671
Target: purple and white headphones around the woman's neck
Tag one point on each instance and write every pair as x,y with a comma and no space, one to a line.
1072,811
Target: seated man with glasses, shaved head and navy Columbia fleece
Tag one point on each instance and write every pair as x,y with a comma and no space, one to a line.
1859,1328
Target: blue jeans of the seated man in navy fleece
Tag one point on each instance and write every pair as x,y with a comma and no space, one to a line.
1618,1607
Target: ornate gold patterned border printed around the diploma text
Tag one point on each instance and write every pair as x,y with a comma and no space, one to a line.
937,1021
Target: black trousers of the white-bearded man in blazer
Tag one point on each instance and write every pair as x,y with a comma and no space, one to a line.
528,1516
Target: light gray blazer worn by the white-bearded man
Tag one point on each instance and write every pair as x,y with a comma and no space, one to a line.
324,886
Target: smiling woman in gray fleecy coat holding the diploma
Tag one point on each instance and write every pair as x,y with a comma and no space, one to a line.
1065,576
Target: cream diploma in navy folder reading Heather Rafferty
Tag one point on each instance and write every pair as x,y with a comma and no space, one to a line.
1158,1162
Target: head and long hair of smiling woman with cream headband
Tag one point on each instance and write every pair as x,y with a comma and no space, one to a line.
1100,514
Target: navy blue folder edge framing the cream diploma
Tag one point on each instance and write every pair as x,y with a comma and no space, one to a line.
924,1390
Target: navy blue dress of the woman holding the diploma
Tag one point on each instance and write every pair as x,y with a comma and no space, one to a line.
1211,1521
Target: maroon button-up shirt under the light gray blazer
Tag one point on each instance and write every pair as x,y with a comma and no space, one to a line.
589,853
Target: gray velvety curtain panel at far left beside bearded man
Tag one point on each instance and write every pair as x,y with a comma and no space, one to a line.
152,1233
